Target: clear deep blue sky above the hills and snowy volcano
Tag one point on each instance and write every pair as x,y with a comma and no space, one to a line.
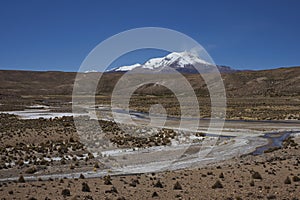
58,34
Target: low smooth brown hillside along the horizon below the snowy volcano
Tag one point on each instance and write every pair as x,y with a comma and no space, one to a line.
275,82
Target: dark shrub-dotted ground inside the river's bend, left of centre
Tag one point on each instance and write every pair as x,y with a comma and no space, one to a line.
47,146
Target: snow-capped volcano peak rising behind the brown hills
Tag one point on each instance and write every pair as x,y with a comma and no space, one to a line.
180,61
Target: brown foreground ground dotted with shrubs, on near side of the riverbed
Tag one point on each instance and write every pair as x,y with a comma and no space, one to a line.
274,175
